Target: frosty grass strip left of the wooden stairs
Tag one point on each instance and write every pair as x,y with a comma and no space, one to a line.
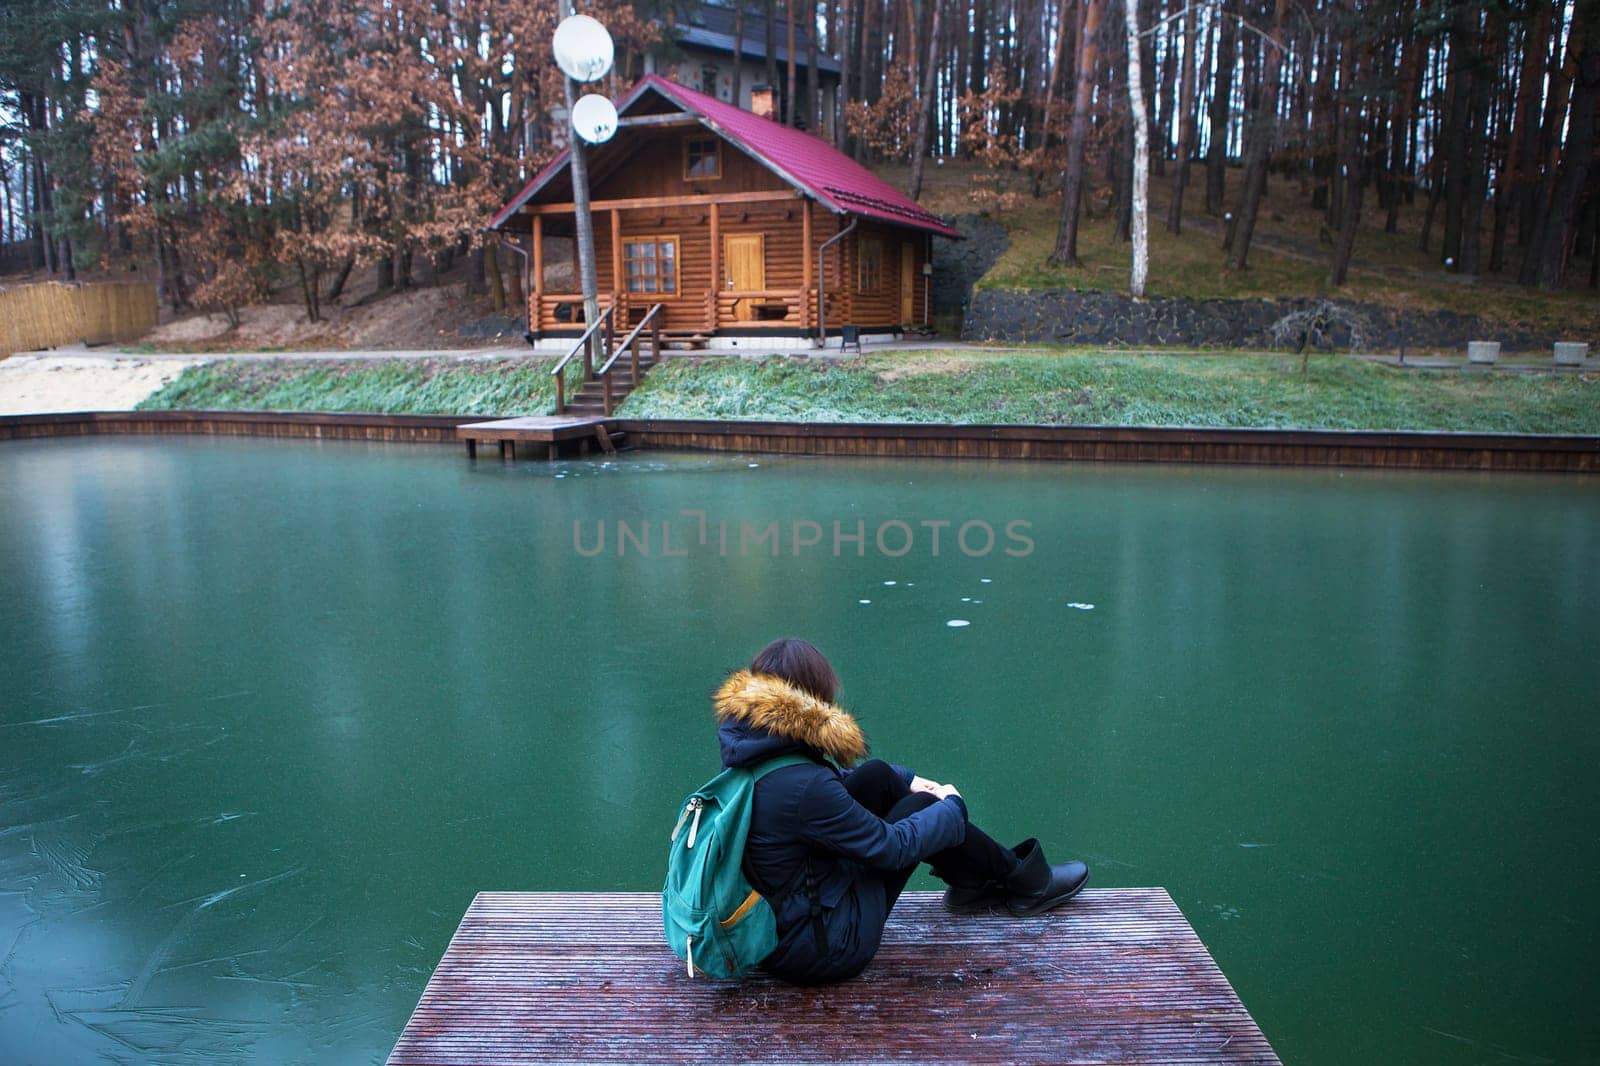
393,387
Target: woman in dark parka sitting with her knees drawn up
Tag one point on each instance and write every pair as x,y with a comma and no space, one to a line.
833,844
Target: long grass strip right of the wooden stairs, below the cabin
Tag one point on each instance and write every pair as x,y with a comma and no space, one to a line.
1119,390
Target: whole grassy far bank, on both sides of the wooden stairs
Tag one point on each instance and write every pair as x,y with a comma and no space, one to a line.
938,387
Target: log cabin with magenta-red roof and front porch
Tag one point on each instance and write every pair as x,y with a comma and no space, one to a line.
743,230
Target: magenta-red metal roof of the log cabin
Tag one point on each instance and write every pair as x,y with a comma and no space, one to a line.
804,161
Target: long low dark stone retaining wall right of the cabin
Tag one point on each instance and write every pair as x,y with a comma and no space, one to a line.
1087,318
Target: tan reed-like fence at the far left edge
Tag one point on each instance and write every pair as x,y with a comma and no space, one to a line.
50,315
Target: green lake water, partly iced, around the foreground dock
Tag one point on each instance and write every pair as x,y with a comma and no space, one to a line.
273,711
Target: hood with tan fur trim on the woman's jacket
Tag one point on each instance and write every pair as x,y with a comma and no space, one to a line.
762,715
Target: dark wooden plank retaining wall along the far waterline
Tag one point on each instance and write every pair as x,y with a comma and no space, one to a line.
1252,447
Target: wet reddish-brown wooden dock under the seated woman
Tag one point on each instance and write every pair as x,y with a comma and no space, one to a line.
1116,977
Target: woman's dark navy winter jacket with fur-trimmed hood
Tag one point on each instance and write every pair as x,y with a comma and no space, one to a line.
809,838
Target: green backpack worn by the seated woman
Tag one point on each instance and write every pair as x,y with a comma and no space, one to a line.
714,921
